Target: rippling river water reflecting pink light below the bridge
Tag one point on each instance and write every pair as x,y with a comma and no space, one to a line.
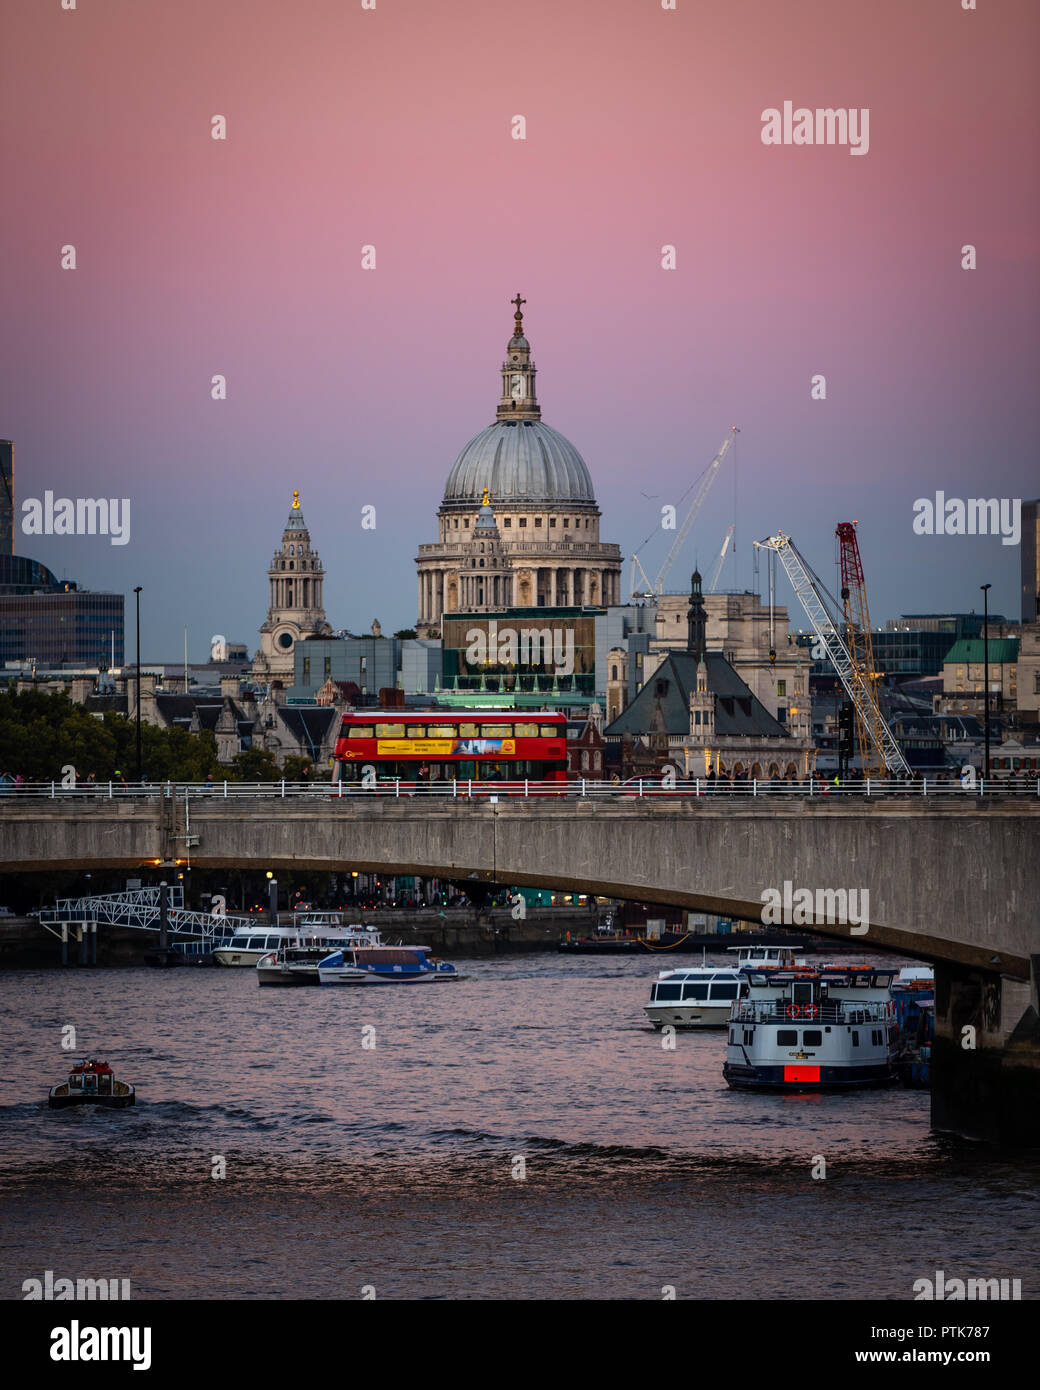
394,1166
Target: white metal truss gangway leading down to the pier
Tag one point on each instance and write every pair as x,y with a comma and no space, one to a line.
79,919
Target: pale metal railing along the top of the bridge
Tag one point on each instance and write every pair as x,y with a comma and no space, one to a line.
811,789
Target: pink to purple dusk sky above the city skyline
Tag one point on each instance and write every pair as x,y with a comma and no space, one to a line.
393,129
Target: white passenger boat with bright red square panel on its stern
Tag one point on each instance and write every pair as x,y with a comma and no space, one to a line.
814,1029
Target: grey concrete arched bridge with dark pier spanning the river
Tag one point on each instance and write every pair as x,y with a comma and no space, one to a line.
954,882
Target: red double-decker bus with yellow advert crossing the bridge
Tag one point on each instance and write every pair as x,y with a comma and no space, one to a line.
472,746
